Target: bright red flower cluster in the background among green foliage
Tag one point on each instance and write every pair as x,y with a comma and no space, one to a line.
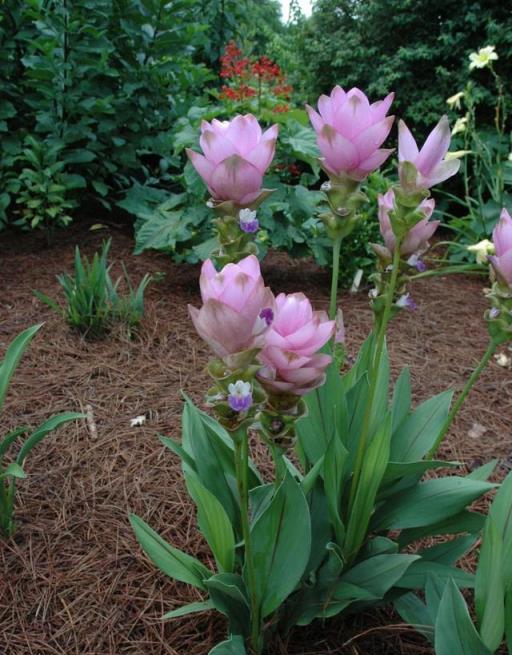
251,77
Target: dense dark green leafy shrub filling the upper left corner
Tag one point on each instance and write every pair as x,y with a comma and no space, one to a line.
98,84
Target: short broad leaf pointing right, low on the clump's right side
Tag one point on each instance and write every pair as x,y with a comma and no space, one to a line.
378,574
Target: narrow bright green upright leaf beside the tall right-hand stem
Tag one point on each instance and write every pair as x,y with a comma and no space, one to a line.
374,464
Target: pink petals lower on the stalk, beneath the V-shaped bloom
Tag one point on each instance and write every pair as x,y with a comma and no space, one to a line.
416,240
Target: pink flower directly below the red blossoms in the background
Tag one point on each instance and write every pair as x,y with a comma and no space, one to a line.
236,156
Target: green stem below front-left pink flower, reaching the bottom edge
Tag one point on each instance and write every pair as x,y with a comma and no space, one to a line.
242,475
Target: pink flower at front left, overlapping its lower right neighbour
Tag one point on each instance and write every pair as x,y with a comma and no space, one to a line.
237,307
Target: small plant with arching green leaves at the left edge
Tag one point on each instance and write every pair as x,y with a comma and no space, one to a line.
10,473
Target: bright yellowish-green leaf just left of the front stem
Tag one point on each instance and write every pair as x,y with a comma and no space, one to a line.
213,523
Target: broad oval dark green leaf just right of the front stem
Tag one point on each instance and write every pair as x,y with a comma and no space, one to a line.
281,543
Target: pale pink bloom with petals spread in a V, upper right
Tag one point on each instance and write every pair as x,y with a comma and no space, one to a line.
431,165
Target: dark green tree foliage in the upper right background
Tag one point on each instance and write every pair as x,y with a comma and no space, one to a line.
417,48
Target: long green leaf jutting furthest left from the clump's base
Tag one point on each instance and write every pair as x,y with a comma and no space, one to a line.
169,560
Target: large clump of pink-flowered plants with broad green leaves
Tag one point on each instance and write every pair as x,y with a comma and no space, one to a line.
336,528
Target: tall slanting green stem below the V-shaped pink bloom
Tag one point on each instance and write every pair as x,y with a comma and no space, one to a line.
374,374
